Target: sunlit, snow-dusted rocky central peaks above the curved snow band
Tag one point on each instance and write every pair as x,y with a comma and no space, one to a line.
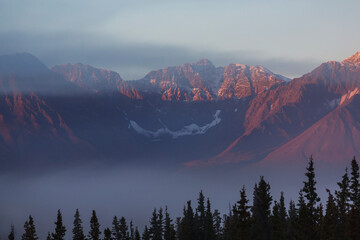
203,81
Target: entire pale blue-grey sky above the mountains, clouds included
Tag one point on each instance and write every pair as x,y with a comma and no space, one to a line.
135,37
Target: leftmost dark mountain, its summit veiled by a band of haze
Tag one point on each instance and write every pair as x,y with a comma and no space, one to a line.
31,129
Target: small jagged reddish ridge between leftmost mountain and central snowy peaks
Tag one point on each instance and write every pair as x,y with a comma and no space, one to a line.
95,79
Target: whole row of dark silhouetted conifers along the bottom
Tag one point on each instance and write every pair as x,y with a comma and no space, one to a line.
265,219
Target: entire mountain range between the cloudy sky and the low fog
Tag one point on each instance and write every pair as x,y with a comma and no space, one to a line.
194,114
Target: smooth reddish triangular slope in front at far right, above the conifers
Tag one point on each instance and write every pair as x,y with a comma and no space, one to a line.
331,140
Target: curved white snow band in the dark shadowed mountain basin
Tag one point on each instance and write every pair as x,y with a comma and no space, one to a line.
189,130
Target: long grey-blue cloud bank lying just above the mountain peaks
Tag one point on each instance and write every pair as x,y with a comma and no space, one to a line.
133,60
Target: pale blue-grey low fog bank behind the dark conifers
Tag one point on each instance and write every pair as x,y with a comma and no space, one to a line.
132,192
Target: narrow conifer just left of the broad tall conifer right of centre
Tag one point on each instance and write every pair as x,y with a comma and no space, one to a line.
243,219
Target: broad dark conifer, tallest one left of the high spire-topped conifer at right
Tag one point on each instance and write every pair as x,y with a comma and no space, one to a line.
261,210
